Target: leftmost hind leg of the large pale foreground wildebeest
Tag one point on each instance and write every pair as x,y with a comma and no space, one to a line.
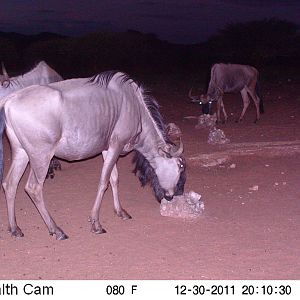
10,184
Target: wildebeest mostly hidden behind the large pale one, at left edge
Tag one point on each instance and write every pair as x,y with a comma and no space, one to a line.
40,74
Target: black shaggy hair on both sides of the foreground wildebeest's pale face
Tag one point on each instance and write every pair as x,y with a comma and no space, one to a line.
146,174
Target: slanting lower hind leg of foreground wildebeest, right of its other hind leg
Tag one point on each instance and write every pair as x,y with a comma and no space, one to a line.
34,188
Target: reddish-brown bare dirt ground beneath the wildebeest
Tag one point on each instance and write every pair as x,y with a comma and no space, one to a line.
250,228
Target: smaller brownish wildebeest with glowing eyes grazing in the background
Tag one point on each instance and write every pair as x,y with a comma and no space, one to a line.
233,78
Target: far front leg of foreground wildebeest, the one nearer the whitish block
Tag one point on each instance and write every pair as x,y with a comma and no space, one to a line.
114,181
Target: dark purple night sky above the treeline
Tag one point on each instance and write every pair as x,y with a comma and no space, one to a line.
181,21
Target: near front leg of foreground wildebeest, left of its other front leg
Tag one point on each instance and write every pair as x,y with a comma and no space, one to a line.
110,160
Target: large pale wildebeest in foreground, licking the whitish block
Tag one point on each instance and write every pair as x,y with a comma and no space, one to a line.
79,118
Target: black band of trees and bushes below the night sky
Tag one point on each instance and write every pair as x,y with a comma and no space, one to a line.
270,44
